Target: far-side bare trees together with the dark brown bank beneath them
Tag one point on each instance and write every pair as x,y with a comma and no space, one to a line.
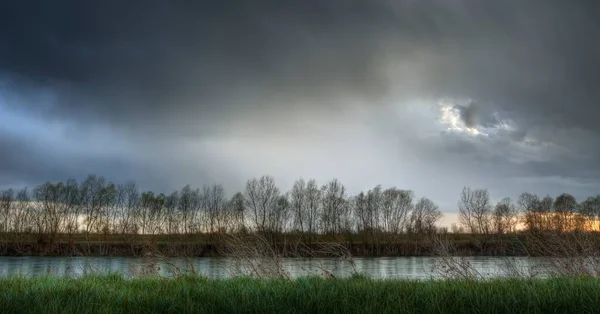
98,217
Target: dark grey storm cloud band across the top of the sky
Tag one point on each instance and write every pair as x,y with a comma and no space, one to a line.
170,61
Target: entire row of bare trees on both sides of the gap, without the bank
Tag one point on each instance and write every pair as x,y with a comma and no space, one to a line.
97,206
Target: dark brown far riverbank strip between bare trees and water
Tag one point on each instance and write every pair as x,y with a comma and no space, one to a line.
212,246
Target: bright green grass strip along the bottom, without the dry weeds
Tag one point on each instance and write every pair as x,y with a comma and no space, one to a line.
112,294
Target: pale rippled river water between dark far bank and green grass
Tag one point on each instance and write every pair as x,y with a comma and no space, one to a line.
385,267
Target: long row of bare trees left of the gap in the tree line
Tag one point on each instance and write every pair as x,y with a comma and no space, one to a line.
98,206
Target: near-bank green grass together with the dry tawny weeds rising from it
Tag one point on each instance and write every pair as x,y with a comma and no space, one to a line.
264,287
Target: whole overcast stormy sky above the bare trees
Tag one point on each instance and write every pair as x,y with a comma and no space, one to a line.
429,96
